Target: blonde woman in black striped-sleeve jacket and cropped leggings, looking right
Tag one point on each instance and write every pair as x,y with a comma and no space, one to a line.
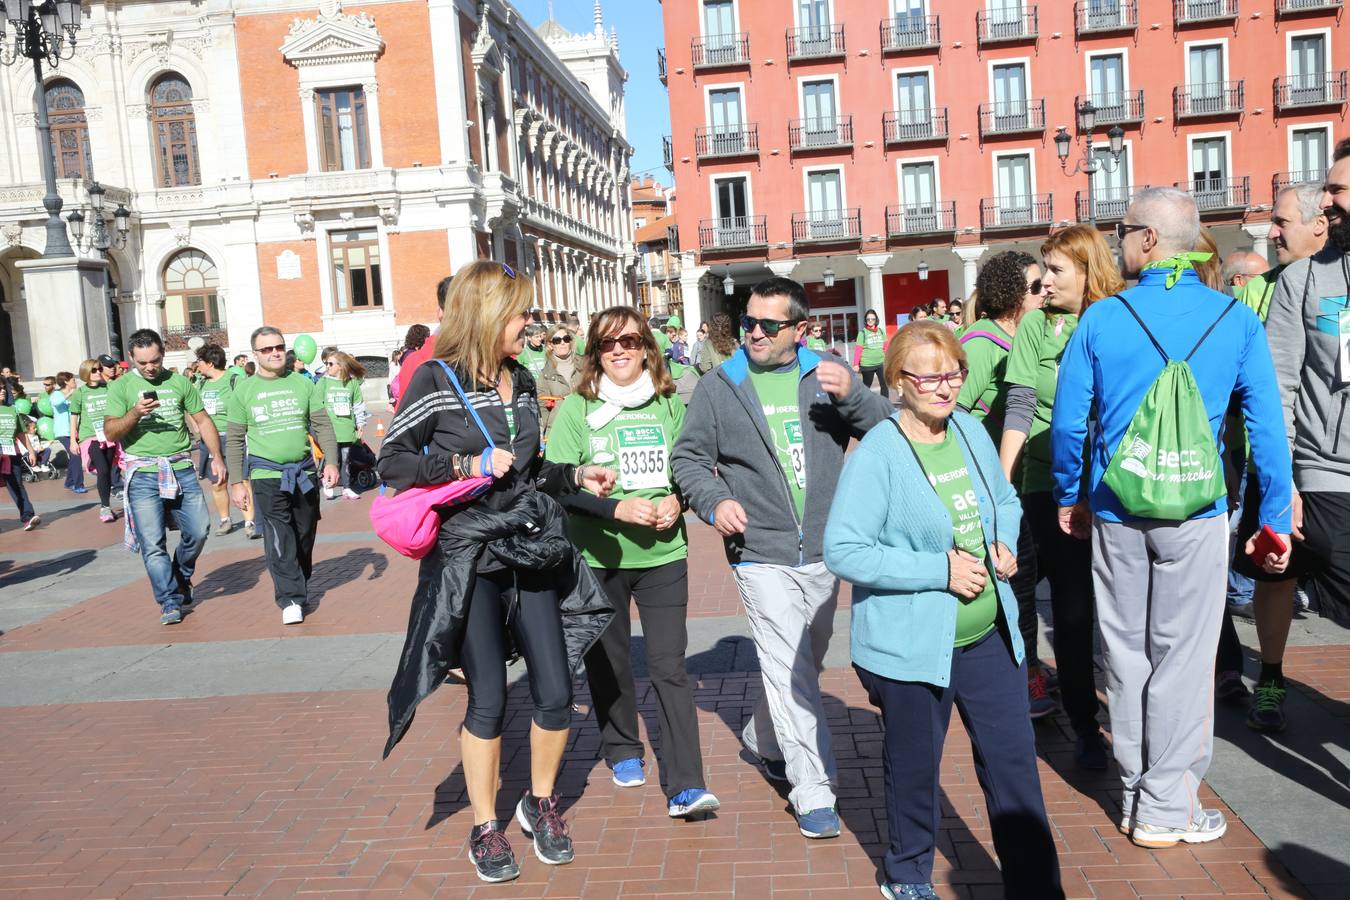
502,561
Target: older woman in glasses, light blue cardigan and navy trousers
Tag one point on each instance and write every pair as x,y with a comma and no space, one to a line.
921,526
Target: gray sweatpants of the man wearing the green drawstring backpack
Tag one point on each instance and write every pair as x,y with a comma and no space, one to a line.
1160,592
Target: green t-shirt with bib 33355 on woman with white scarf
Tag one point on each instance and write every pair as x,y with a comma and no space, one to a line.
637,445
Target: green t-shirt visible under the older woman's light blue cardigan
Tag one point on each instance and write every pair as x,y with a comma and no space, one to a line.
950,477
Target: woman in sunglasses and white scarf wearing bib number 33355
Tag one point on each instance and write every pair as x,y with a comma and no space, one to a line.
626,415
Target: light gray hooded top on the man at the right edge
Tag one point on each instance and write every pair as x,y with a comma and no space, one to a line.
1303,331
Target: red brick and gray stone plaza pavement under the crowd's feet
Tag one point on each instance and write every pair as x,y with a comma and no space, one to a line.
234,756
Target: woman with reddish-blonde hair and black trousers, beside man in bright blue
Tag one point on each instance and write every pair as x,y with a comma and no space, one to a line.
1079,269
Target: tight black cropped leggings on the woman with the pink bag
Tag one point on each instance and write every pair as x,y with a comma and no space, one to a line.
538,629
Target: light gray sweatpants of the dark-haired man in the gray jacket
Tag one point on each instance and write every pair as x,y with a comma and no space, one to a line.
792,617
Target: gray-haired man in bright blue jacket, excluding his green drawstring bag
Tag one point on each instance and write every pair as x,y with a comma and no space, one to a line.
1160,585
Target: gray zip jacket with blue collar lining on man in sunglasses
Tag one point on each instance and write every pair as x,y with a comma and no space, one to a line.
726,453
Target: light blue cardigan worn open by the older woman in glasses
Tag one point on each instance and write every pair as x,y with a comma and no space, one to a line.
889,535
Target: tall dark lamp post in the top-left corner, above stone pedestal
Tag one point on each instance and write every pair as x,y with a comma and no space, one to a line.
45,32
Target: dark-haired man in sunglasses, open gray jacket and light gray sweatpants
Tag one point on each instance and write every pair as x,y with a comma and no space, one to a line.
759,457
